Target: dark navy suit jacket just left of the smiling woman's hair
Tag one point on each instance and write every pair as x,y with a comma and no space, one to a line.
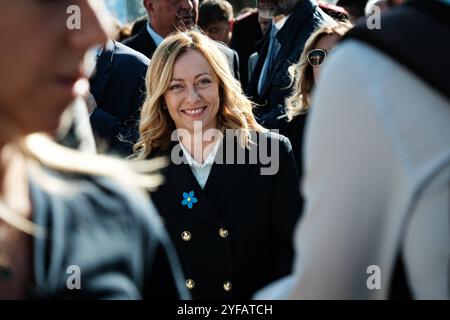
118,87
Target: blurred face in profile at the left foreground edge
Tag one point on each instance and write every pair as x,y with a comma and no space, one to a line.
41,59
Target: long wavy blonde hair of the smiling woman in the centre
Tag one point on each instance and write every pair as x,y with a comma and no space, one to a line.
156,126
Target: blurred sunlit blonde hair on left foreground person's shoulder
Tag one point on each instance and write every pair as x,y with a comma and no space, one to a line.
41,152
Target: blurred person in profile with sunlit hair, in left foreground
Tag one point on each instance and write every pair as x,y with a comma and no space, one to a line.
67,227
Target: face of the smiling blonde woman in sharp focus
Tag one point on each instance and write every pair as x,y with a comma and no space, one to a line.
193,93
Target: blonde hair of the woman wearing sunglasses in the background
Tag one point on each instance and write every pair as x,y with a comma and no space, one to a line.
301,73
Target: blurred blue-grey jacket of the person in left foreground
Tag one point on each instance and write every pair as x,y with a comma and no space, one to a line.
112,236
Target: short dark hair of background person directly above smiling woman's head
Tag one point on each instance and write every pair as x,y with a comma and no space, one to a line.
211,11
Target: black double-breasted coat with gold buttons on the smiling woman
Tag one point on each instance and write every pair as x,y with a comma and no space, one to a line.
258,211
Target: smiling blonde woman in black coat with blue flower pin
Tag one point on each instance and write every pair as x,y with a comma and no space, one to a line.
231,224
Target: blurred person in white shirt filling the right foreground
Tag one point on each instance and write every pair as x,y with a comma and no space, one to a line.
377,169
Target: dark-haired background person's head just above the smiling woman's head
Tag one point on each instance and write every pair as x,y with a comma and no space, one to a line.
215,18
